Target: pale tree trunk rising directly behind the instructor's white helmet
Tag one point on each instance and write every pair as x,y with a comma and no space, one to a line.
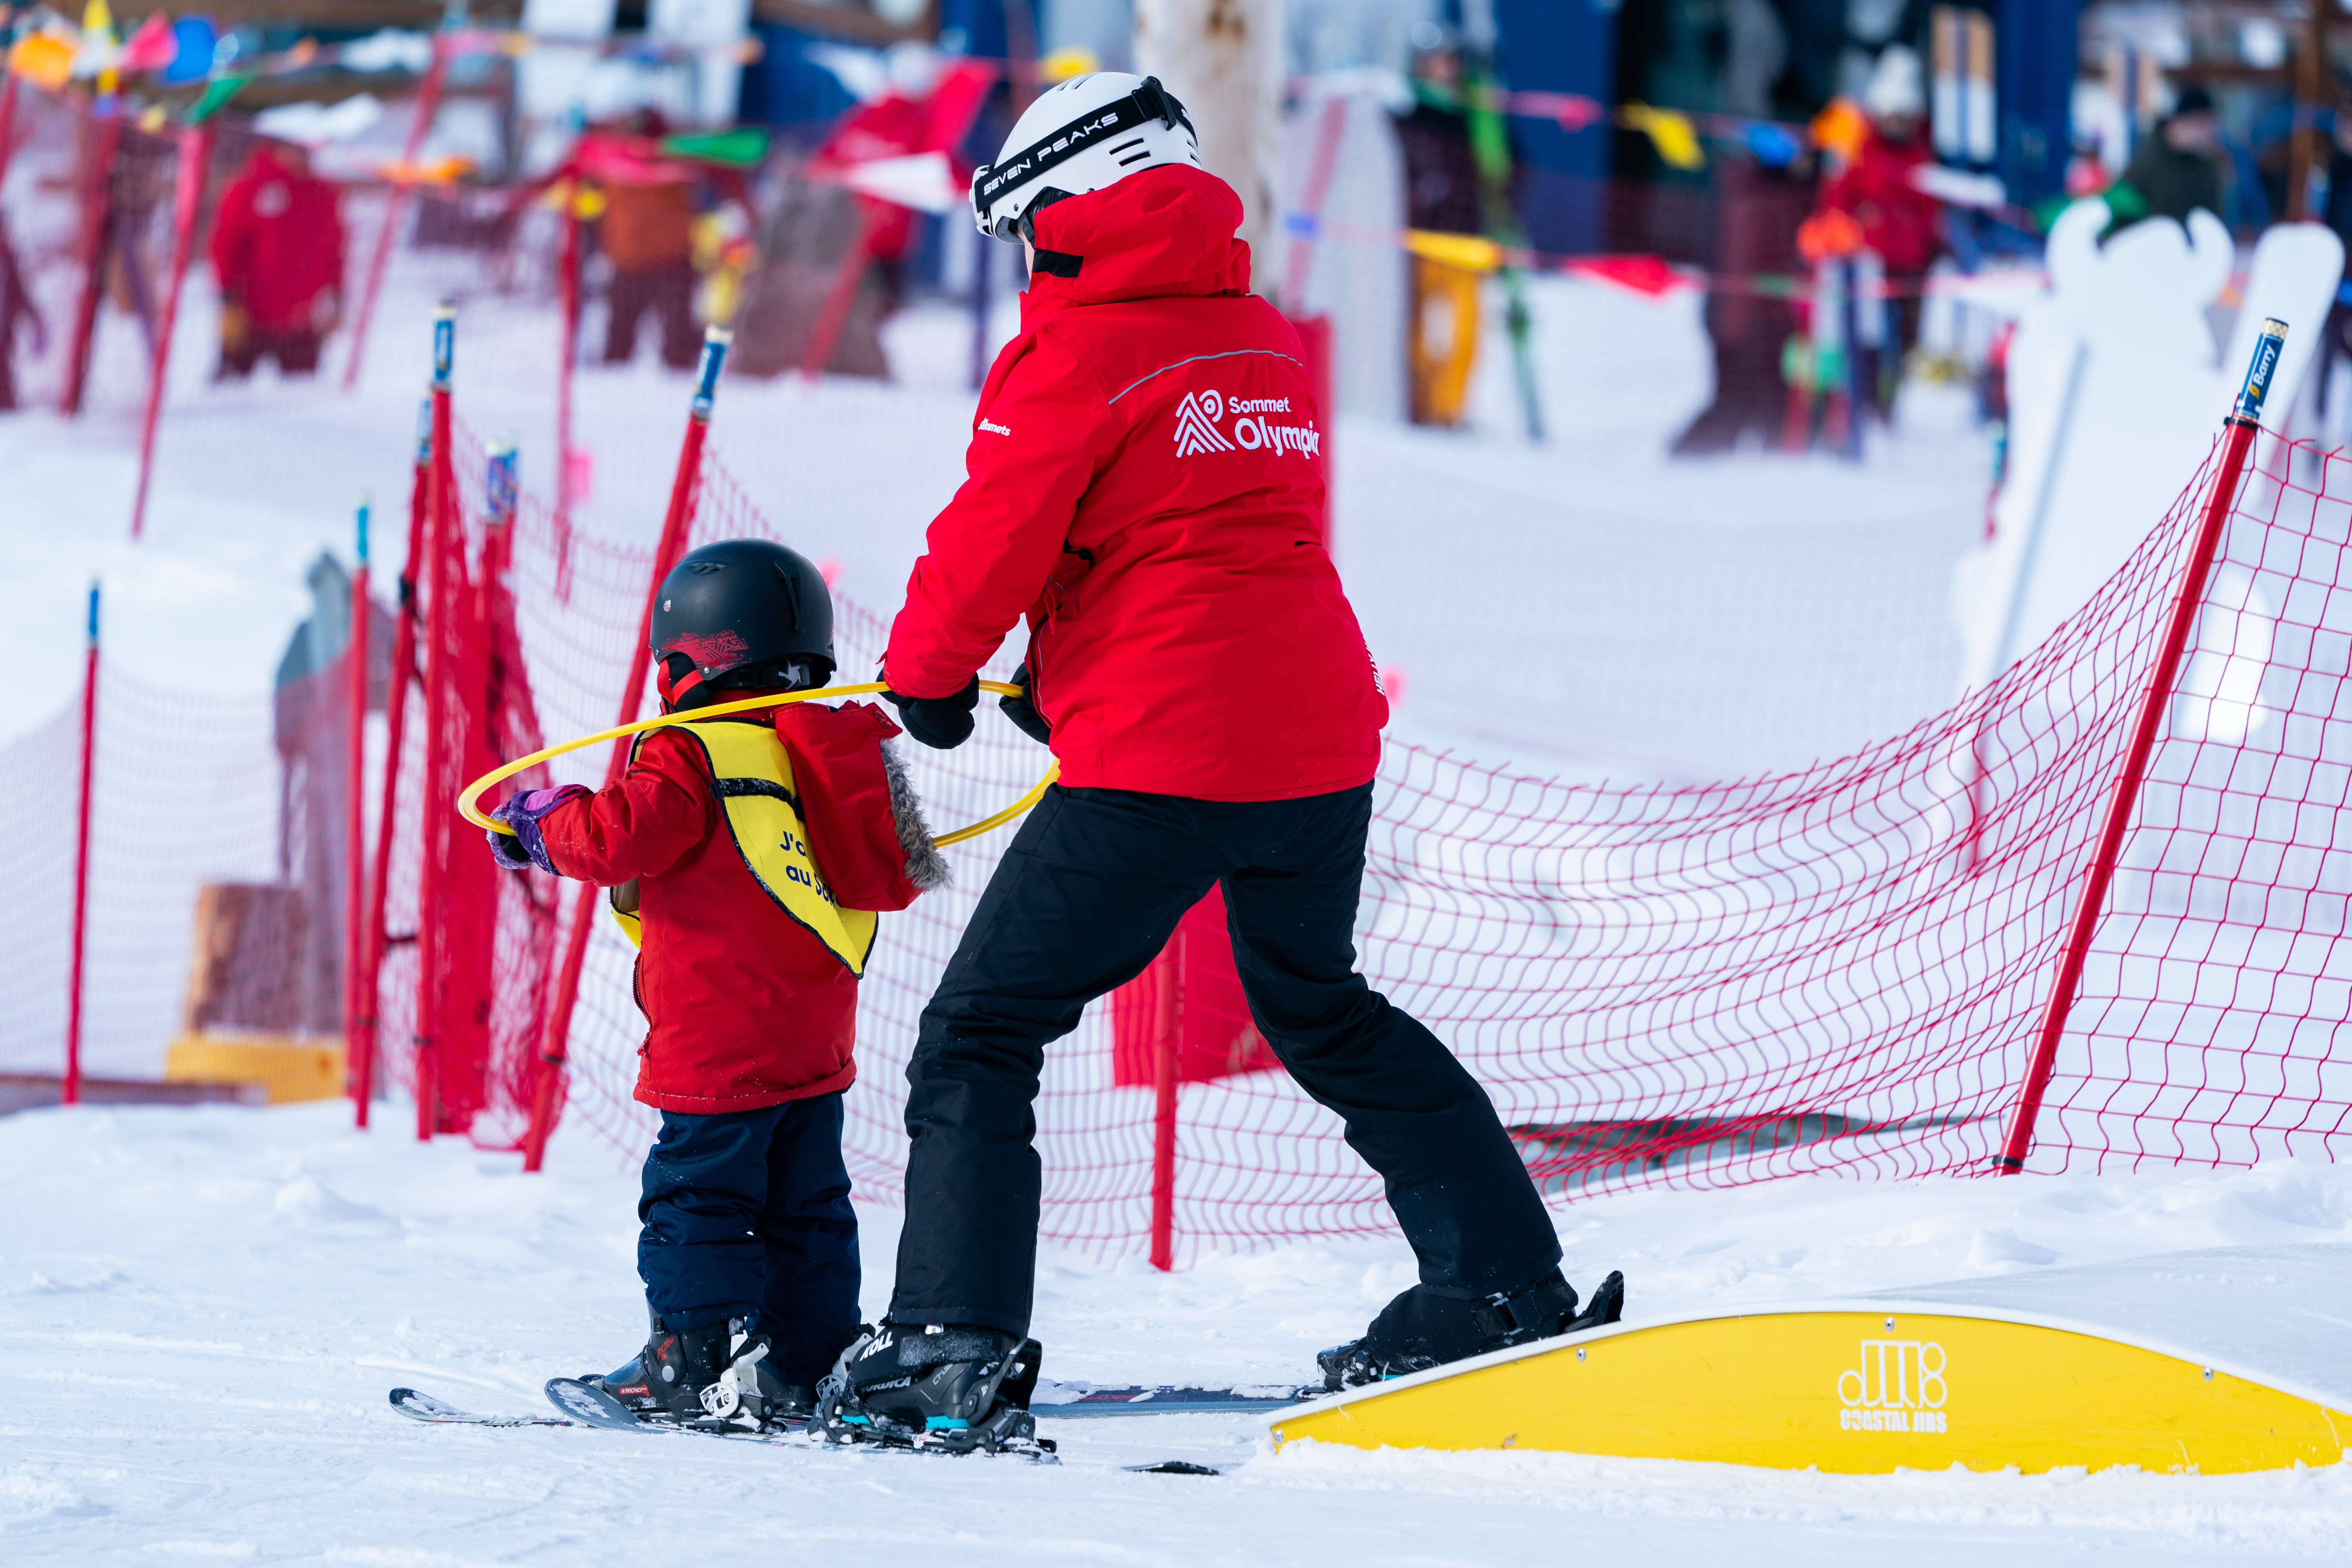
1224,60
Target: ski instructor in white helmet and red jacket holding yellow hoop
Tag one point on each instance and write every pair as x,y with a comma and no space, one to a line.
1147,488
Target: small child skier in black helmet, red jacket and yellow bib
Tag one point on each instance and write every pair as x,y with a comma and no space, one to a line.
749,857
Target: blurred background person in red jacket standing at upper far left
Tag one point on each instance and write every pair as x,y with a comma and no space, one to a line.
279,257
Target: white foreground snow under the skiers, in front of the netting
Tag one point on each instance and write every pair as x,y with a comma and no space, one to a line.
203,1313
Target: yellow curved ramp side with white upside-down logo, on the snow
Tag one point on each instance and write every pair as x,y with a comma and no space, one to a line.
1845,1391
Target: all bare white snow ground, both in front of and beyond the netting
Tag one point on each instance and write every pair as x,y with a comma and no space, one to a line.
208,1306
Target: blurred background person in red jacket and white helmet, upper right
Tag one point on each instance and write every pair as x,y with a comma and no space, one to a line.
1897,220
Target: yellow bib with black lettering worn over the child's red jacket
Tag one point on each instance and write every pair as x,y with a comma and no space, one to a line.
754,782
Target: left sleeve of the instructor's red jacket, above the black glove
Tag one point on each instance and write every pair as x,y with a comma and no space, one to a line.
1038,441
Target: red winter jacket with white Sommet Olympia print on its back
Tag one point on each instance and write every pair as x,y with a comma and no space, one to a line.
1147,483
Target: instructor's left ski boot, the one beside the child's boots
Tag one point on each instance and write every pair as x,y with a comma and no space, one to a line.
933,1386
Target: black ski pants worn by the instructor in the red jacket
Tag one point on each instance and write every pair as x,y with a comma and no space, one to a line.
1088,894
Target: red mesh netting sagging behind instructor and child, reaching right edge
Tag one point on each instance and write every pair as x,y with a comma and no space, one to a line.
1831,970
